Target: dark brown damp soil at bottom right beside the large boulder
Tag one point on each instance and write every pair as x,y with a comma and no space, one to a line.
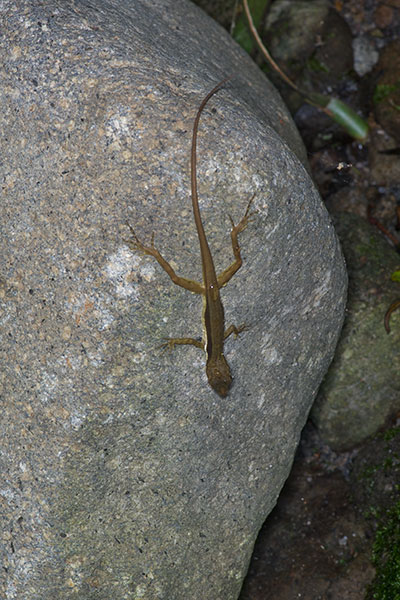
317,542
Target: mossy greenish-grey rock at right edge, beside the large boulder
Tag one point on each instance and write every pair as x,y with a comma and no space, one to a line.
361,389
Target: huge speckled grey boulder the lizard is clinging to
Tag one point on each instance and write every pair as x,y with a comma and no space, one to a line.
123,474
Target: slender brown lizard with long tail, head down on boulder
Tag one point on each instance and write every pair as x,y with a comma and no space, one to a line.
217,368
